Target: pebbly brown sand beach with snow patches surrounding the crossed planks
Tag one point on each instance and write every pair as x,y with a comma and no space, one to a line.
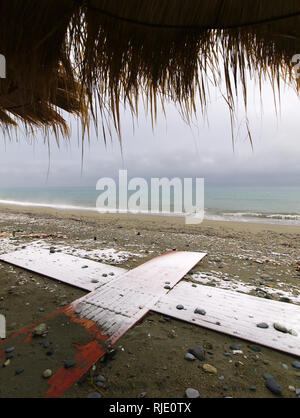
258,259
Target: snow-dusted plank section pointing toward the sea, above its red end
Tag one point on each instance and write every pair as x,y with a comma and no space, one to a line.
119,304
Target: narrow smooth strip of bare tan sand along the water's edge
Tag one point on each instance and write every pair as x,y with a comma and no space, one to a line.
93,215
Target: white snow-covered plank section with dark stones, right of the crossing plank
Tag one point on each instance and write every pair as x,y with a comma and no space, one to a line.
235,314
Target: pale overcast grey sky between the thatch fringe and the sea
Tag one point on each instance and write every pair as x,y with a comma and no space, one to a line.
173,149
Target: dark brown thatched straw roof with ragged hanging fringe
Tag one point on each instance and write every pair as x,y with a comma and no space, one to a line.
88,57
